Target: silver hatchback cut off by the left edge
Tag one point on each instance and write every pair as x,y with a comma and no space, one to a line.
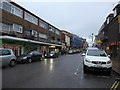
7,57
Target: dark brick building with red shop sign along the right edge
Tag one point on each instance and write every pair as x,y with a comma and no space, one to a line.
109,34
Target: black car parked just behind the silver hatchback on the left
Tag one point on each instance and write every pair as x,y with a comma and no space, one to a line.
30,56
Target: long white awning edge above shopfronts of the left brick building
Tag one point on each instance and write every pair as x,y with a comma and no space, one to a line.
26,40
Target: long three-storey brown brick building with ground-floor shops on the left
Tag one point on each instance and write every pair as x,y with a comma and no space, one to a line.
23,31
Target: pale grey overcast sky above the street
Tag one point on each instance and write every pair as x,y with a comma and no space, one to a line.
80,18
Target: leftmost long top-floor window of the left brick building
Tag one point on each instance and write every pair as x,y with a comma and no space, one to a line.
12,9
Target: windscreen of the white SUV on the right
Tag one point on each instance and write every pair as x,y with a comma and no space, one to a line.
96,53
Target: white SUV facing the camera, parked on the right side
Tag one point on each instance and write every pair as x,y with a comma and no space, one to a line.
96,59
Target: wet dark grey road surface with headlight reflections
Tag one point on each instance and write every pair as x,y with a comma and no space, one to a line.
63,72
